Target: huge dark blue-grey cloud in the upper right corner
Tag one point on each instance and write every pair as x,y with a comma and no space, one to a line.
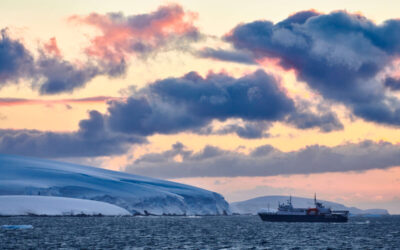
340,55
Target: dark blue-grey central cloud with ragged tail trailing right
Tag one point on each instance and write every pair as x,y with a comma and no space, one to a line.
191,103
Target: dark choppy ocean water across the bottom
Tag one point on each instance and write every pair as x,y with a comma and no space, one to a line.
210,232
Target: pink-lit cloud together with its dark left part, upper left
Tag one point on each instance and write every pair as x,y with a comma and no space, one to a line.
167,28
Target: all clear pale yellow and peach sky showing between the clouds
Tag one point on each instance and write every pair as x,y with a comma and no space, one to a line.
38,23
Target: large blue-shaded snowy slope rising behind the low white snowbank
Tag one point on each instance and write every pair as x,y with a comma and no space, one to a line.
139,195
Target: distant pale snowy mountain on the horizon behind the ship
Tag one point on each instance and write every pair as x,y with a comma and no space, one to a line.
252,206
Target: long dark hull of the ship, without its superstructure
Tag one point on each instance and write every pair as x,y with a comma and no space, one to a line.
302,218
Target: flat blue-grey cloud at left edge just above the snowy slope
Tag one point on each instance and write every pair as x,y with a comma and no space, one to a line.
92,139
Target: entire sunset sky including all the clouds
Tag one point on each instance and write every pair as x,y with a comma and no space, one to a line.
245,98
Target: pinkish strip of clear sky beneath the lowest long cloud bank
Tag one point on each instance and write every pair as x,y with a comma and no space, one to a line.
349,188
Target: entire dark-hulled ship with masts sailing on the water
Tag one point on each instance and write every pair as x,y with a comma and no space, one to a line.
319,213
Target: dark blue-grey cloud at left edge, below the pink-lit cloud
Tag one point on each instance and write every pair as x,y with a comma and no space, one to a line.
49,73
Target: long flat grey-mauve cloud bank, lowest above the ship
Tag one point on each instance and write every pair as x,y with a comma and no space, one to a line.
269,161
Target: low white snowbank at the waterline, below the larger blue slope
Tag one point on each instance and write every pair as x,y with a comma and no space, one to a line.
47,205
